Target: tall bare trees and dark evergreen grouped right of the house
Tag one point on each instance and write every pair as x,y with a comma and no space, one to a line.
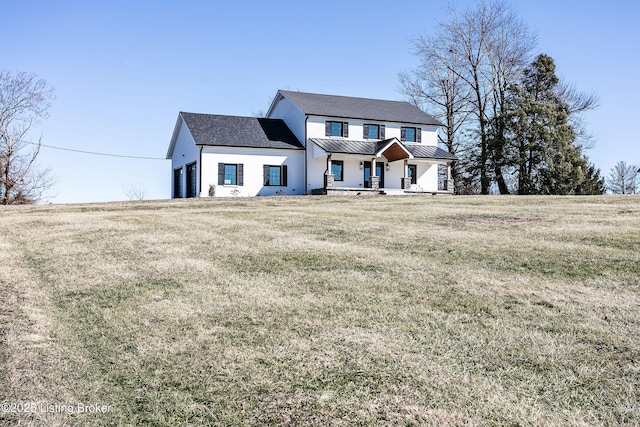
514,126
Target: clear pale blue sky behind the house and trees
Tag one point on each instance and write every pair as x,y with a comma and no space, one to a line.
122,70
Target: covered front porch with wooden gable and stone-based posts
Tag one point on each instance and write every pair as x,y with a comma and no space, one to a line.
382,167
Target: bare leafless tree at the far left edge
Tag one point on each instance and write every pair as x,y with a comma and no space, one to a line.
24,101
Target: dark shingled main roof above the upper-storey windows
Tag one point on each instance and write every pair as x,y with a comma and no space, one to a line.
359,108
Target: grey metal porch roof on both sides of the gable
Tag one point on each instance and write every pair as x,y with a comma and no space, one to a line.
343,146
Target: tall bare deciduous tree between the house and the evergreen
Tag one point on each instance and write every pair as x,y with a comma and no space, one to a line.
480,52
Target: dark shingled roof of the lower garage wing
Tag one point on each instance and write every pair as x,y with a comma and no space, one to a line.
233,131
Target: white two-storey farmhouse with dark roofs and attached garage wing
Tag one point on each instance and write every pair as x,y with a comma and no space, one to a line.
310,144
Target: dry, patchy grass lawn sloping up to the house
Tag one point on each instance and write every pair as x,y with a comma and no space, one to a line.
322,311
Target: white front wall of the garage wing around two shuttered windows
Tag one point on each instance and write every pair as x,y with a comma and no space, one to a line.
253,160
